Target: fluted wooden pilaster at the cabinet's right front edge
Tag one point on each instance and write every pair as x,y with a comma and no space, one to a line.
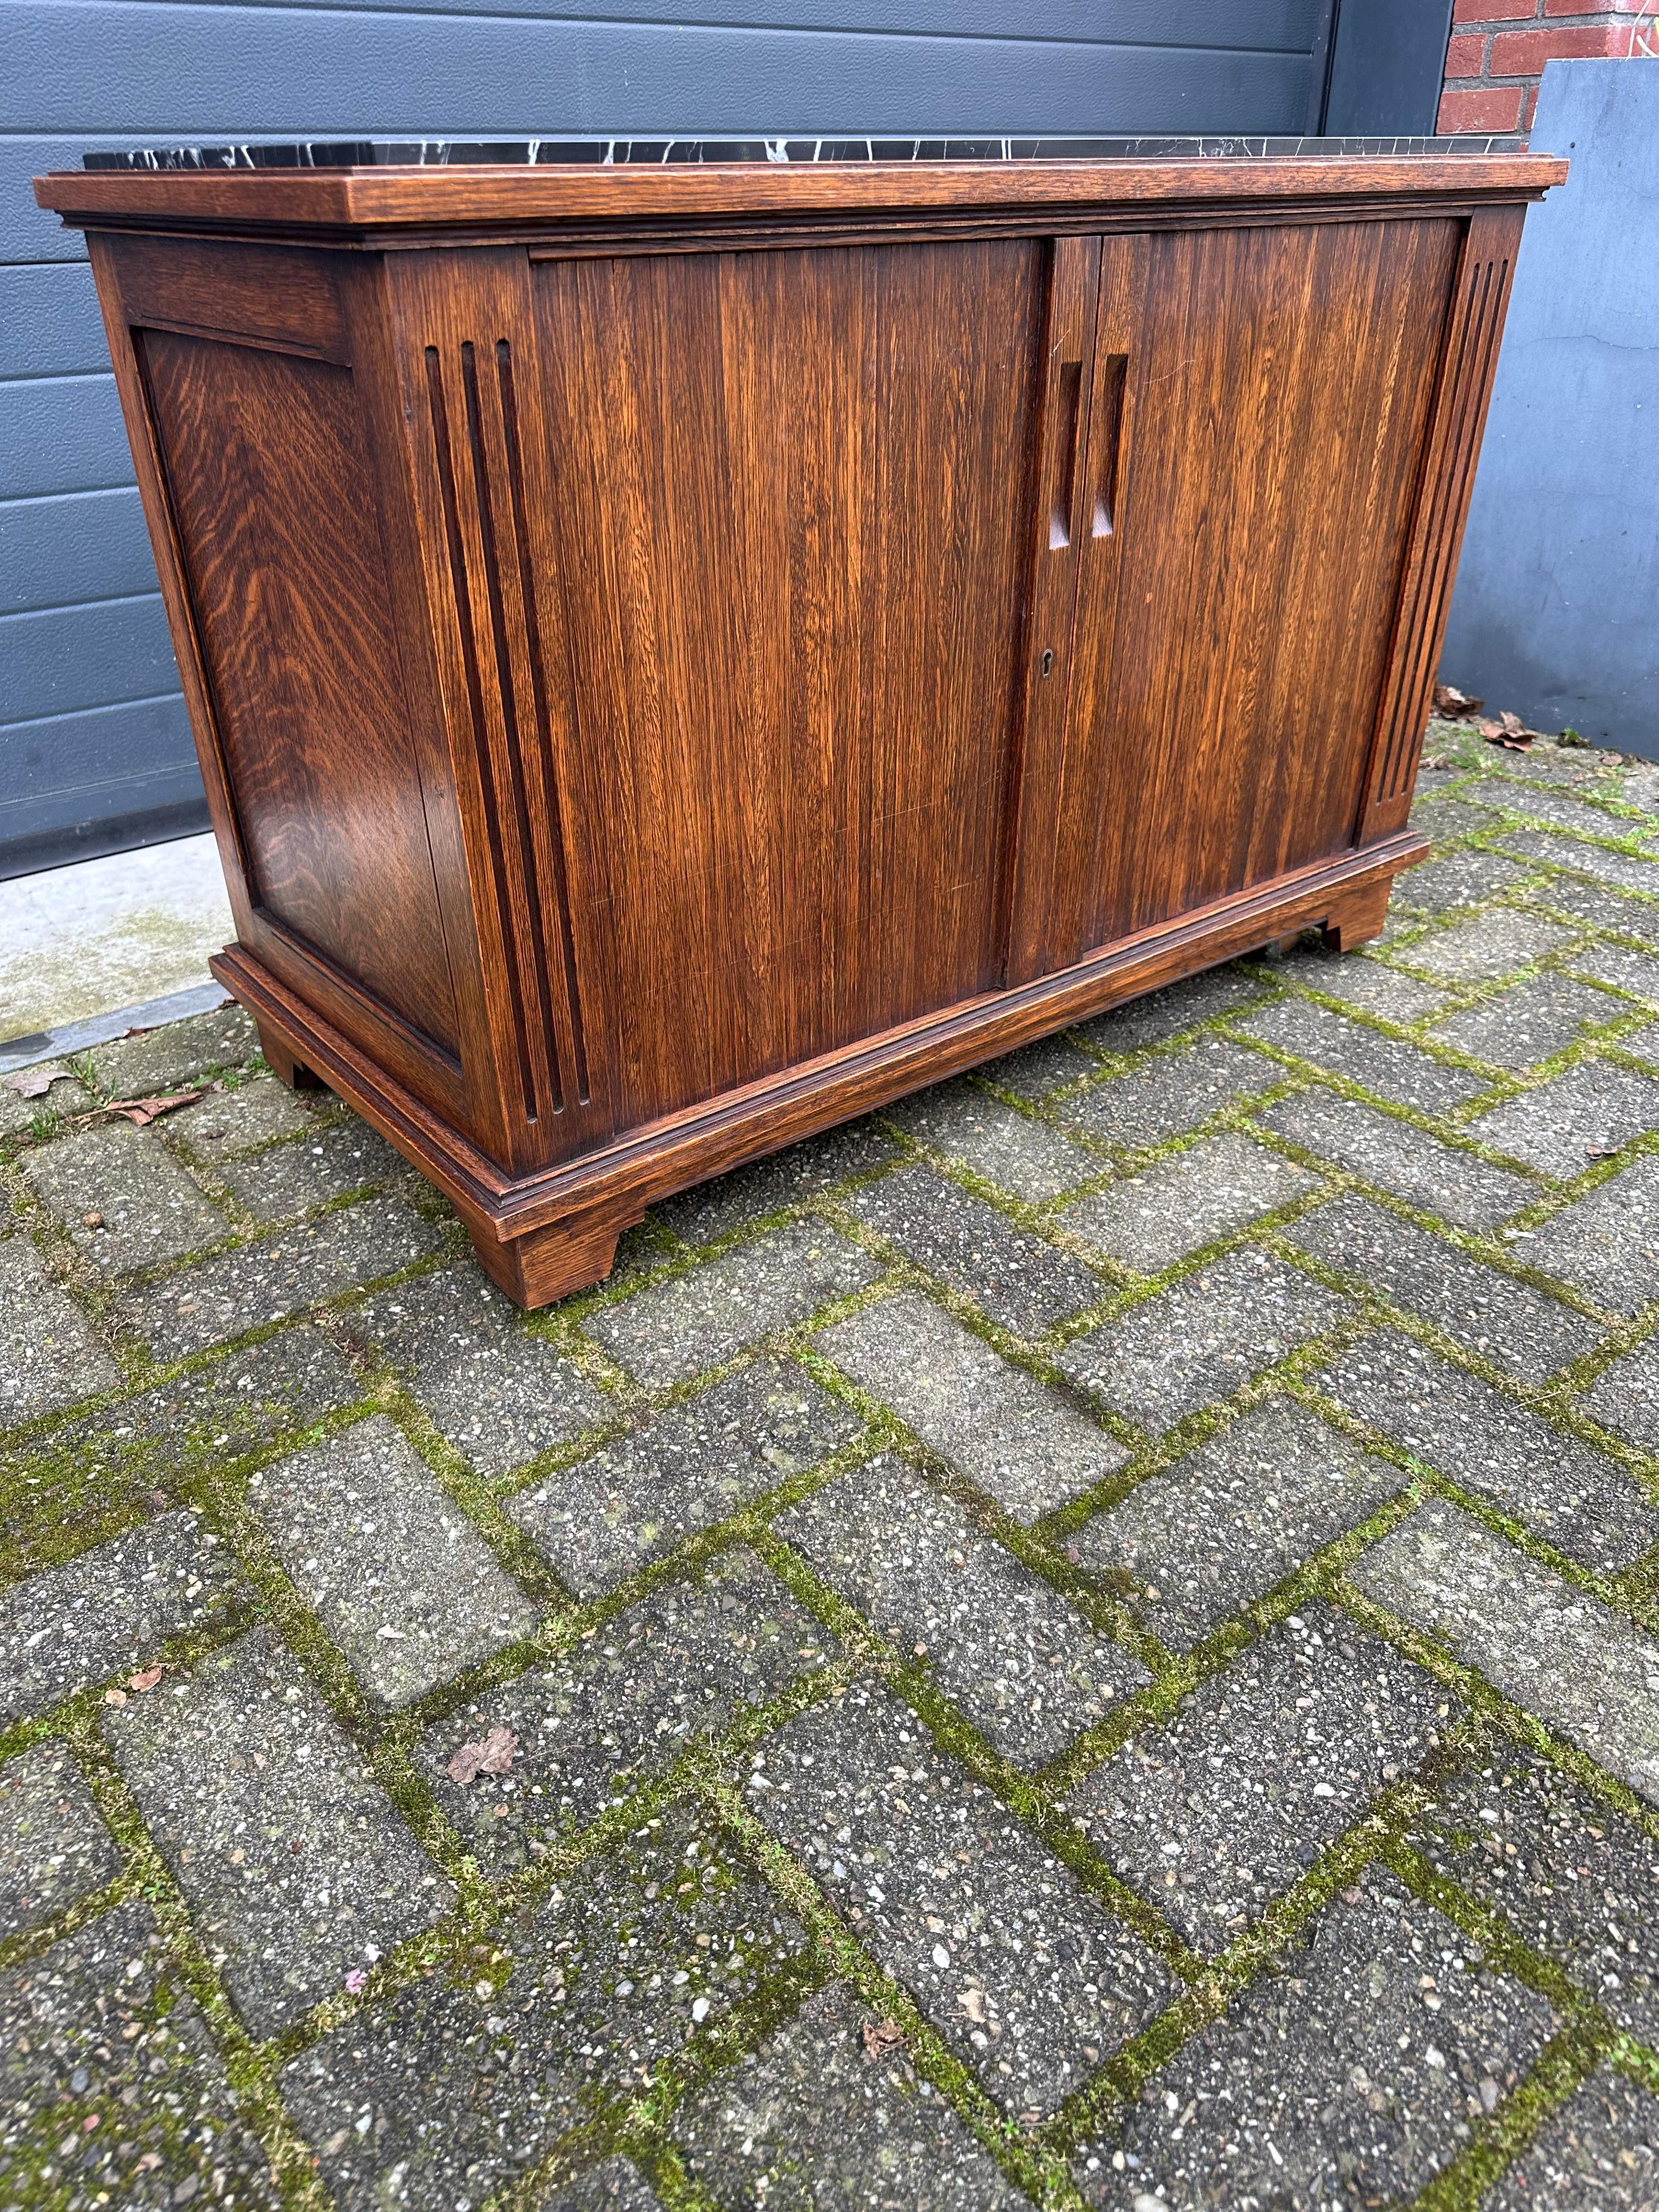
1452,450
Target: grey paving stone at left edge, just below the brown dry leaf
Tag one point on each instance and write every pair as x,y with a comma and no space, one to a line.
147,1207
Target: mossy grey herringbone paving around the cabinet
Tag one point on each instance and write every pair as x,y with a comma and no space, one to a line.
1087,1640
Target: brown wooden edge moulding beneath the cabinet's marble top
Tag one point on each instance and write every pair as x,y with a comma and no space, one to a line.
435,198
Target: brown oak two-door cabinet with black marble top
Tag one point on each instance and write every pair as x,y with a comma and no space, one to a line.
696,643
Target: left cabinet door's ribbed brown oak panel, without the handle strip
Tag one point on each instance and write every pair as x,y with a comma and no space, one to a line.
795,505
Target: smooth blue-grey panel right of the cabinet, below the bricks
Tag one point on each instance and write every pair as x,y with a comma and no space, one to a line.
1556,609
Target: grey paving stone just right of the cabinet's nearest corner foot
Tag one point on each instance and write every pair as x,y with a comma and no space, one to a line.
693,1322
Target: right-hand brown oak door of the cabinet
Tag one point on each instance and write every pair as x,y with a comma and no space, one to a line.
1235,620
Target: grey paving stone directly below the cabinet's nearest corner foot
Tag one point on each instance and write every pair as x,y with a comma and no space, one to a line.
492,1388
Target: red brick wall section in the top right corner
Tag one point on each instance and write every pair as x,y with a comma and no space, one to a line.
1499,52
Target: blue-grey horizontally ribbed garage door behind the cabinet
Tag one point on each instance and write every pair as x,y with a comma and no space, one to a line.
94,742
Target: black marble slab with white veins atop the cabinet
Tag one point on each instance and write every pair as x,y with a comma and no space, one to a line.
612,154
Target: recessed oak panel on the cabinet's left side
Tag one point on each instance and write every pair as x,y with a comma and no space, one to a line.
286,572
